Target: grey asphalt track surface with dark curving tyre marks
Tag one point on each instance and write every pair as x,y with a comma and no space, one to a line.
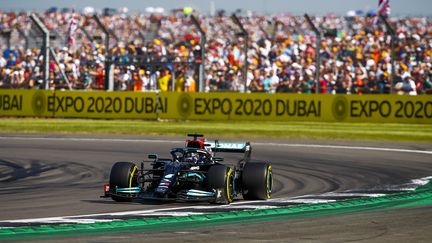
58,175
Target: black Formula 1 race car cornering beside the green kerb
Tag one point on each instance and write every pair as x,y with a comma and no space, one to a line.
193,173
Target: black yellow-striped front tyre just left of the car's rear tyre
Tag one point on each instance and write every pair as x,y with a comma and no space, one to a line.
221,178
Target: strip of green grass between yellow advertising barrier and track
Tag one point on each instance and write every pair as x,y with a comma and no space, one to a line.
314,130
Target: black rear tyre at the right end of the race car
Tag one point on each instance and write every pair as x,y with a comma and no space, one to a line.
257,181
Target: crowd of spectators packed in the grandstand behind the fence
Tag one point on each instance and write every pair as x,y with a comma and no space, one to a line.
163,52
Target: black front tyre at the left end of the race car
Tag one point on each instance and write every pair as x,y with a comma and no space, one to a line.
122,176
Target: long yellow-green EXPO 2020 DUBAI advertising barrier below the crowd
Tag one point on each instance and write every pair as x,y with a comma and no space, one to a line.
217,106
